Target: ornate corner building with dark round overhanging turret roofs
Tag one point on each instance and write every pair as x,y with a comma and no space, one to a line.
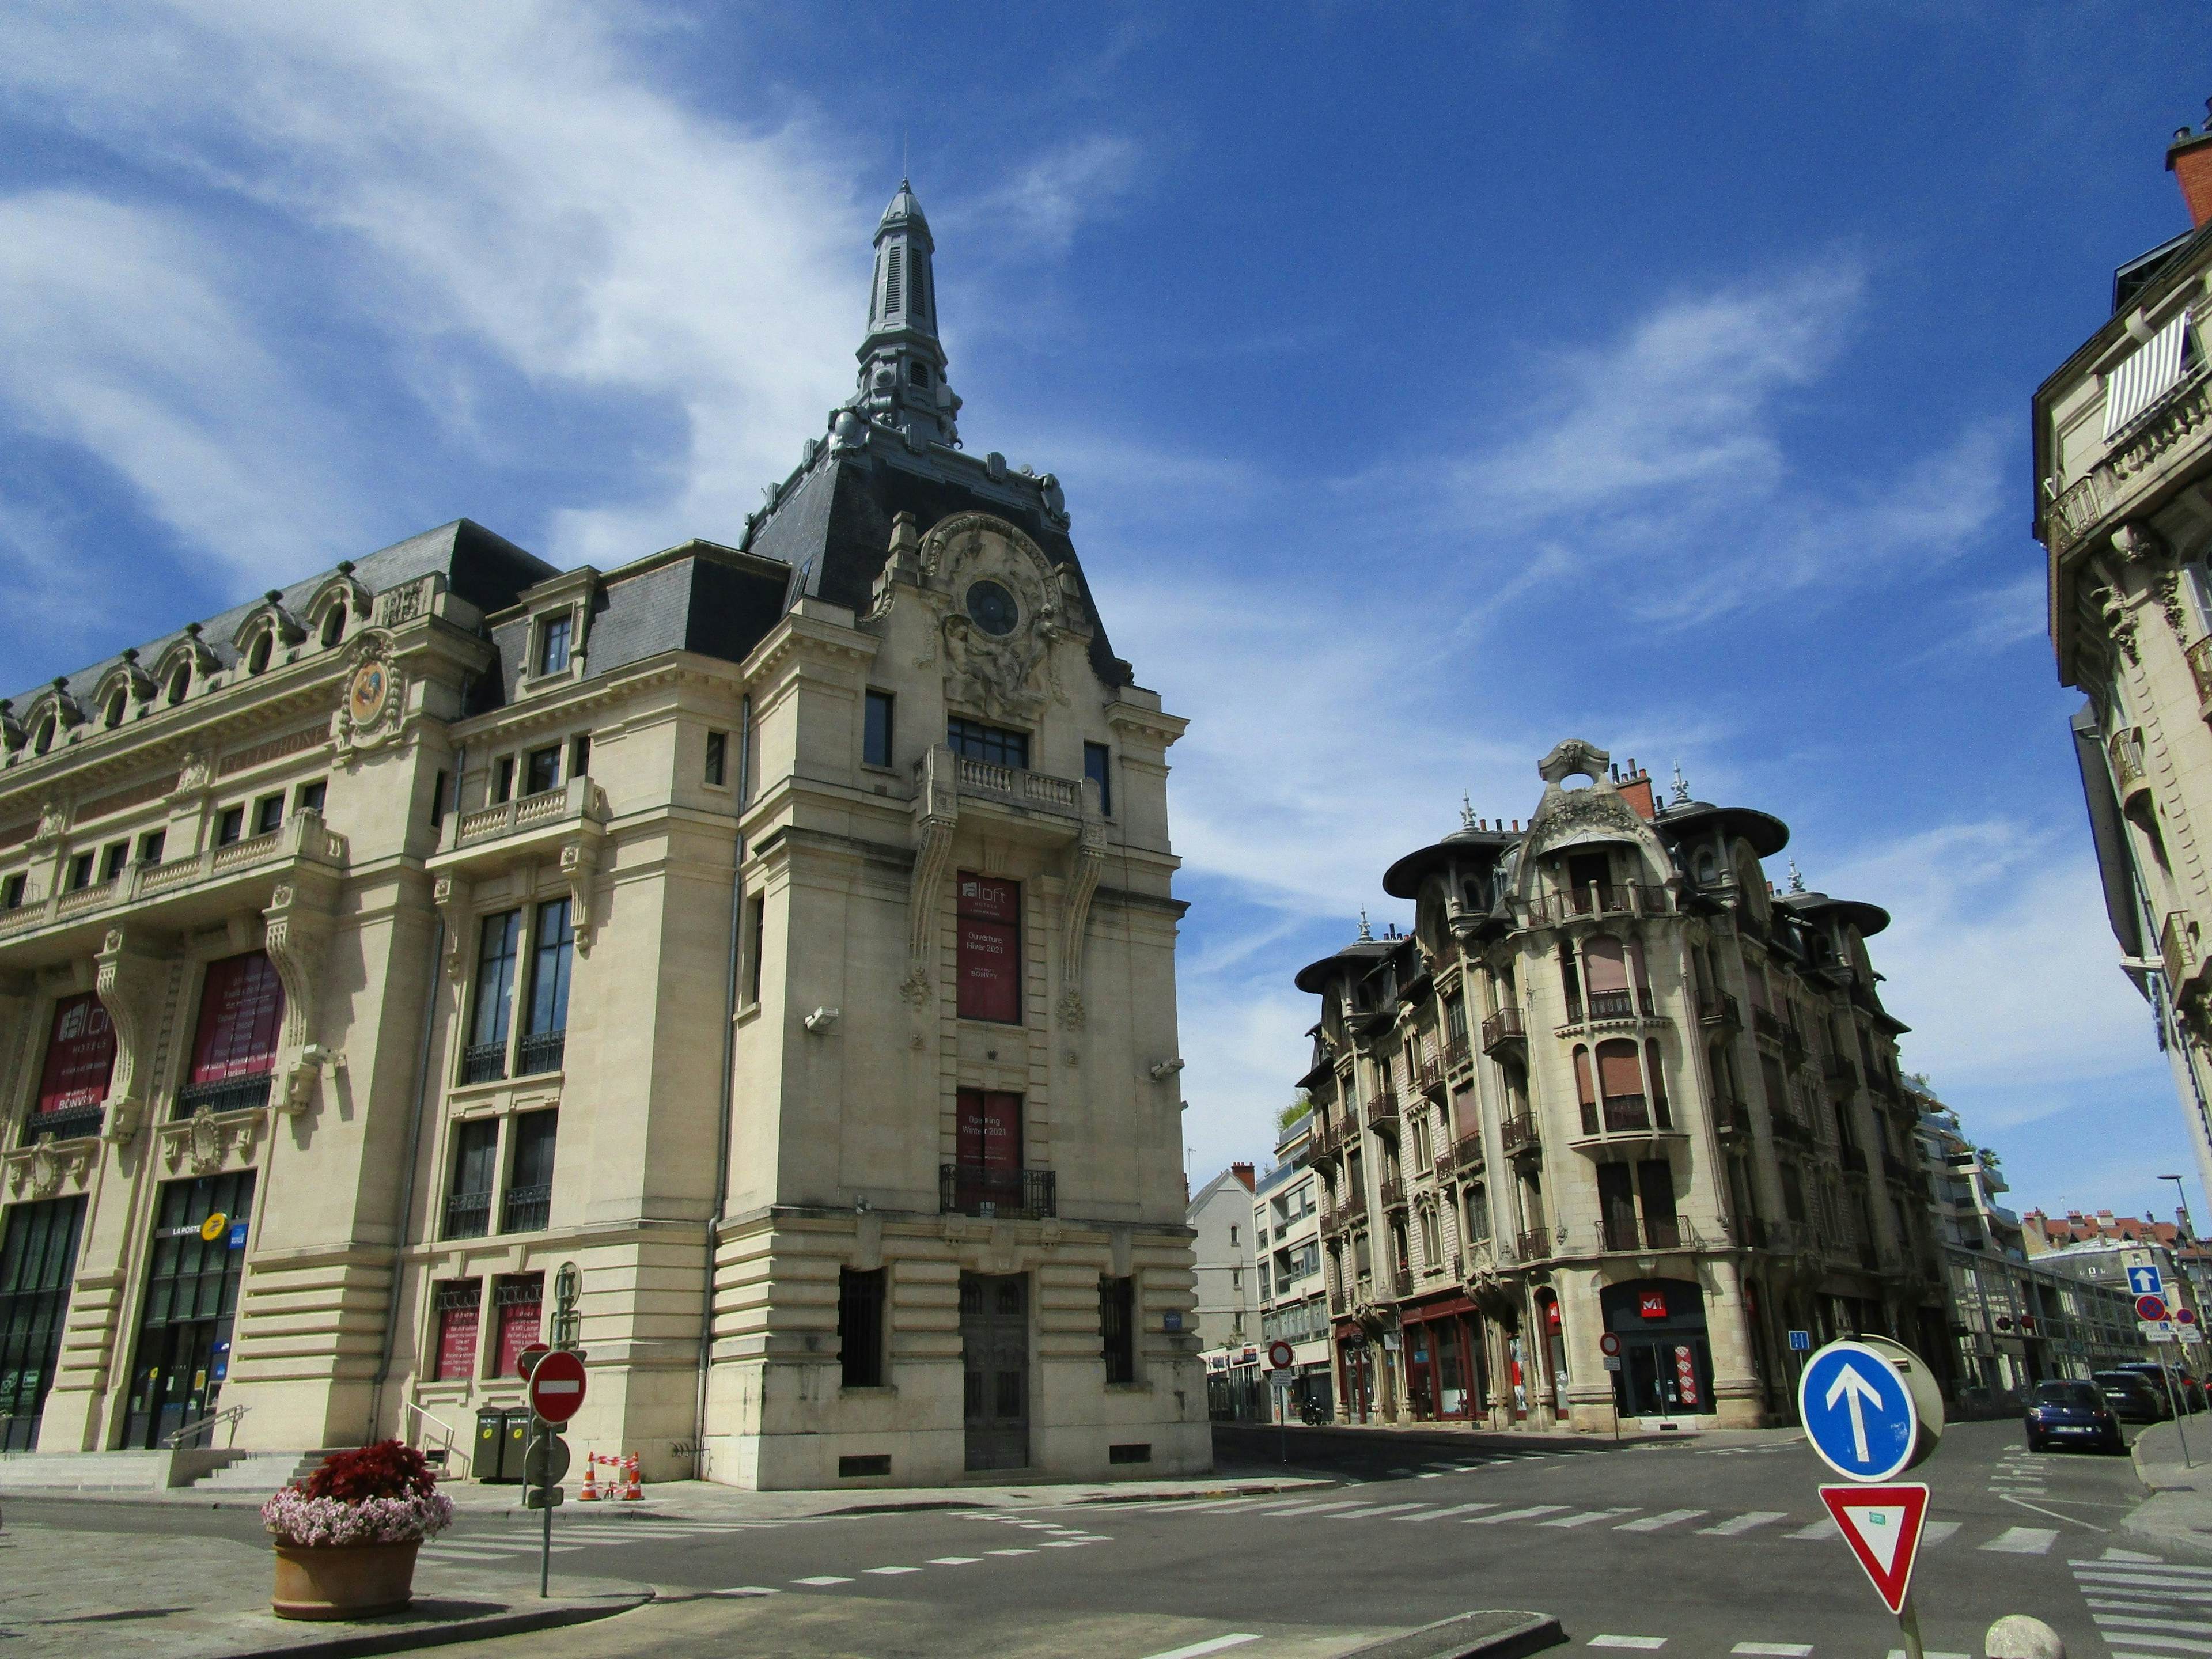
1609,1087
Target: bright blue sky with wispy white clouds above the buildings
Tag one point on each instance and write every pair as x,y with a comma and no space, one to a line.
1426,388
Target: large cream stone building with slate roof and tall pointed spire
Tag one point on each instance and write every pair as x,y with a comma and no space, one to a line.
778,930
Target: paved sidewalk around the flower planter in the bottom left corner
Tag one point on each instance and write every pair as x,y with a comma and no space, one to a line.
176,1596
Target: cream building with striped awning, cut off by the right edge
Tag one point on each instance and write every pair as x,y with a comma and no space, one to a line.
2122,468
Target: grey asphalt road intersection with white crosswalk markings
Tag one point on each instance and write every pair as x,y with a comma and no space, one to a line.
1665,1547
